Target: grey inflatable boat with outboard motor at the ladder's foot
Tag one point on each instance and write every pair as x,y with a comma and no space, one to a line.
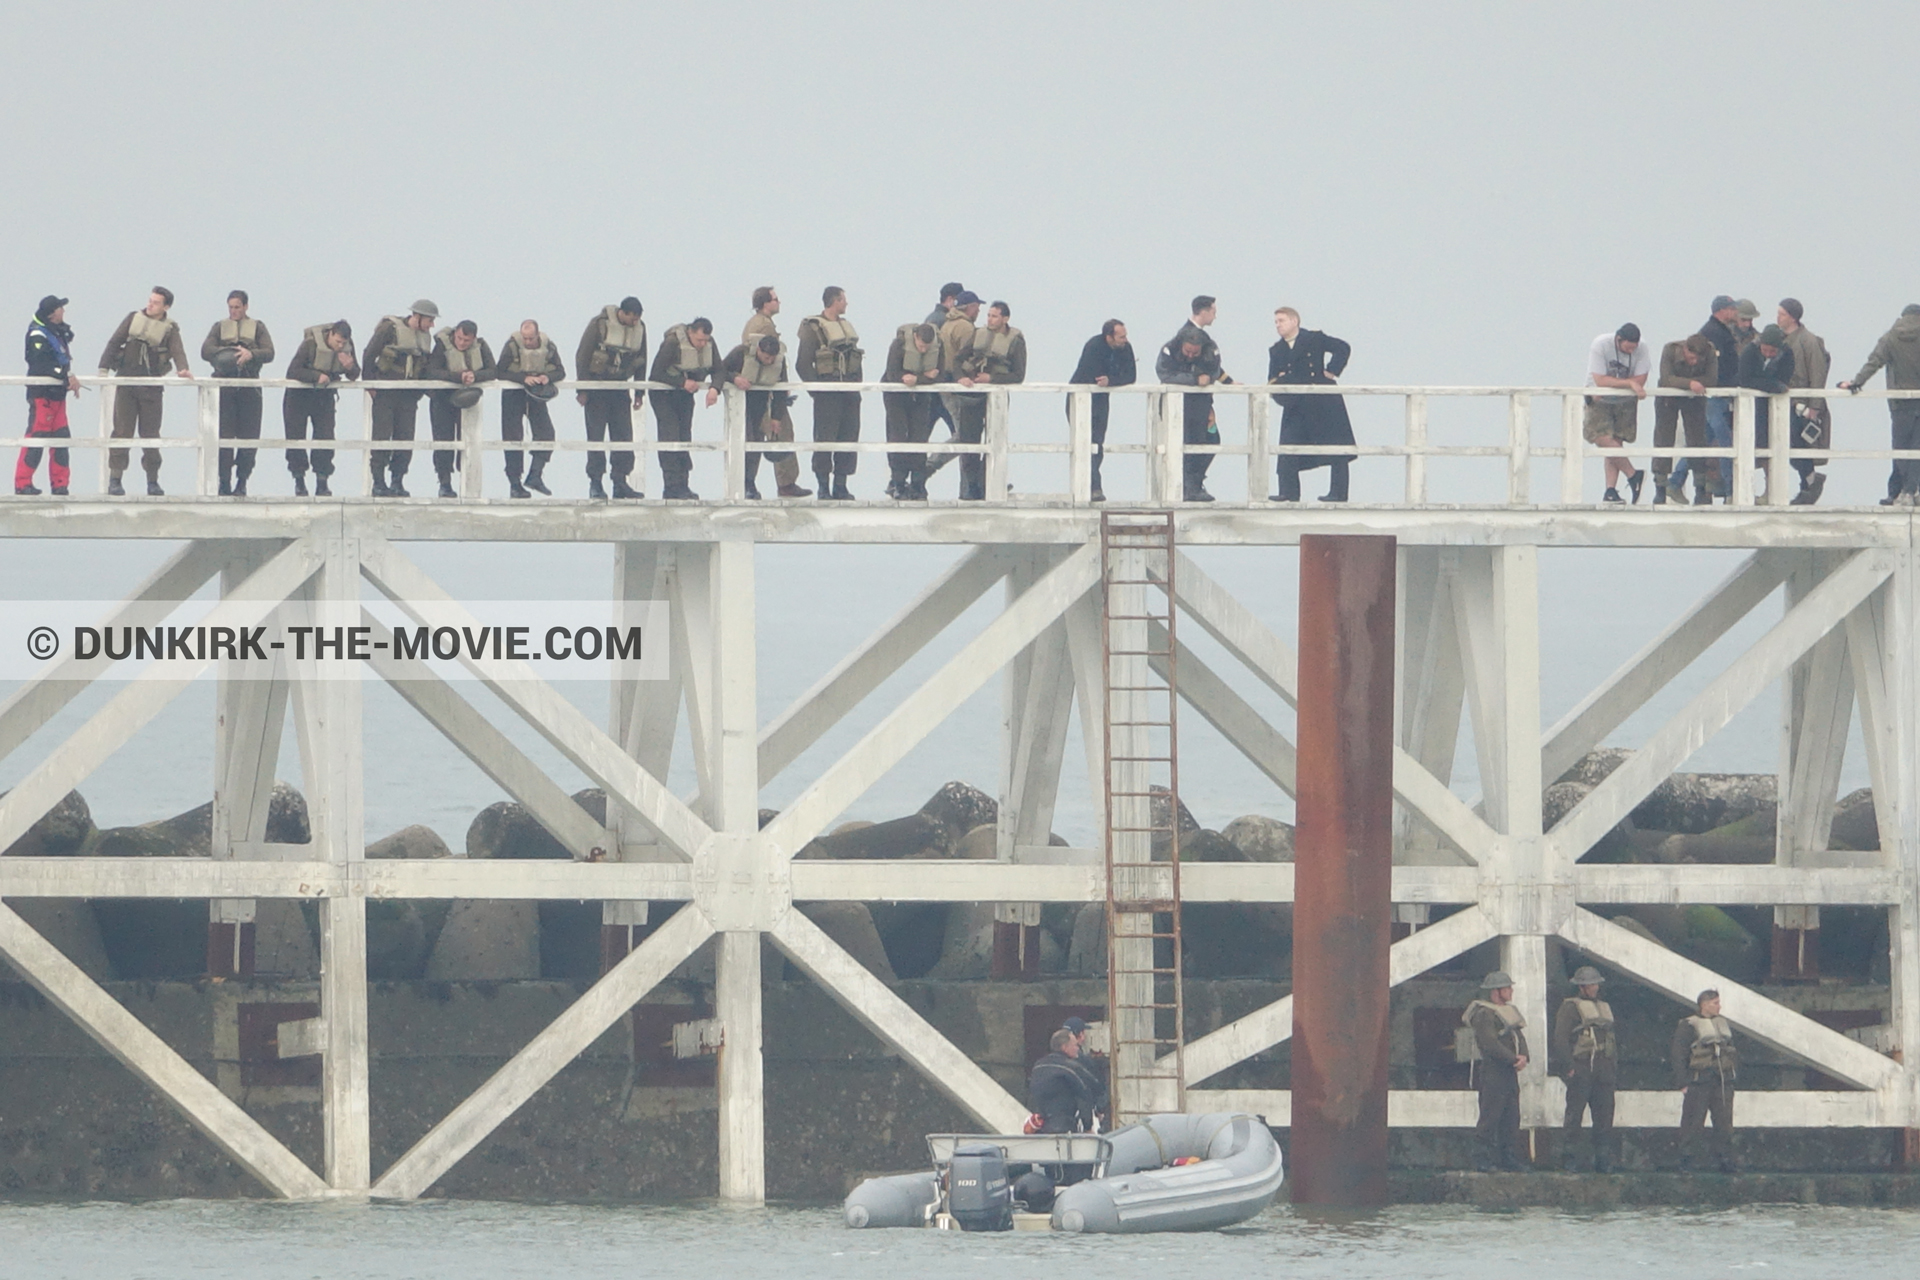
1168,1173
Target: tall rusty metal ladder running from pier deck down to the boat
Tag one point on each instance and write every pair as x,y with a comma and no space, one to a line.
1147,1018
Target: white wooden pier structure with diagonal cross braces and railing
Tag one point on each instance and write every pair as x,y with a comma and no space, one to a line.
1842,586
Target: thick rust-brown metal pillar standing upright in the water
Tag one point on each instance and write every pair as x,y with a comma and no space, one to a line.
1343,870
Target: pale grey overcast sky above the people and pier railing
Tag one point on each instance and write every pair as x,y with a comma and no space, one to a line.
1466,191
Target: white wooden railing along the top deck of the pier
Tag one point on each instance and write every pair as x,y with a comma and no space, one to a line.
1070,437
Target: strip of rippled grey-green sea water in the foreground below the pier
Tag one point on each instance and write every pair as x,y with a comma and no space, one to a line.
496,1241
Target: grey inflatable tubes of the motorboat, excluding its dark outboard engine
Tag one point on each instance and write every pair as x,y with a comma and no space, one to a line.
1134,1185
